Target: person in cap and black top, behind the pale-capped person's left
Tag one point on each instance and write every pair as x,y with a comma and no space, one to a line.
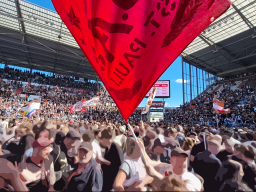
64,163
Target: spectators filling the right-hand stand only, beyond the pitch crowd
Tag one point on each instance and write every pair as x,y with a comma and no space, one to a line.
241,101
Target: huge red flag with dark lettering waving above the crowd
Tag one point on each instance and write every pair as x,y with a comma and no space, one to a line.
130,43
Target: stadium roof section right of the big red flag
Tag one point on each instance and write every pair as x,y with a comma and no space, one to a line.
228,45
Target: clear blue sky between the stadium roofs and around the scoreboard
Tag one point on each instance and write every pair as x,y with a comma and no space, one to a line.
173,73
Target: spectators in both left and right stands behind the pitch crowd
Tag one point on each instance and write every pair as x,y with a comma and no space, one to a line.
241,101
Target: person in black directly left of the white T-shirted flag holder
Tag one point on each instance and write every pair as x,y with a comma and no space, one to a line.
114,154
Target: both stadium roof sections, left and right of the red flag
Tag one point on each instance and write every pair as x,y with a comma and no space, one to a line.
35,37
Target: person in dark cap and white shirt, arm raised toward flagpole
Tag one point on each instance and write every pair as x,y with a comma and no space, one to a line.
174,176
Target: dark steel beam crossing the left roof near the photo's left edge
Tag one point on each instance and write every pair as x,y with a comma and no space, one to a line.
23,32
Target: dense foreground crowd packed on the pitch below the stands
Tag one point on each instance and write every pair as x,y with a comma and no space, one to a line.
103,155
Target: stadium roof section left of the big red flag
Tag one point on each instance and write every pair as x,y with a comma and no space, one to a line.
35,37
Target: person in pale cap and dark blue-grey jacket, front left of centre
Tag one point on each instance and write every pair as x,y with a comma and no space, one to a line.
87,176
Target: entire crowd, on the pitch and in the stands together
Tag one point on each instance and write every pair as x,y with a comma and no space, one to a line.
96,151
